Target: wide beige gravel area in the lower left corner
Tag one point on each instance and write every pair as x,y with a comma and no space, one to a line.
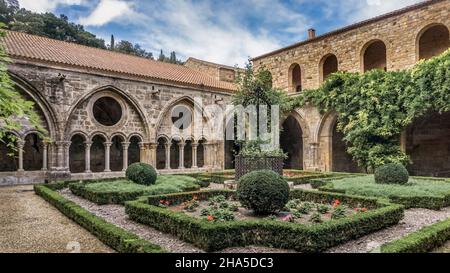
28,224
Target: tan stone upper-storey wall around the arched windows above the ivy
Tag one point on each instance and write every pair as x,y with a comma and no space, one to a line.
399,34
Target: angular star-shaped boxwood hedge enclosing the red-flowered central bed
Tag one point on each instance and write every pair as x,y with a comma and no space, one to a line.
213,236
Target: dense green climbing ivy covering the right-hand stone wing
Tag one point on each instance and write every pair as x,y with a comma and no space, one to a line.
374,108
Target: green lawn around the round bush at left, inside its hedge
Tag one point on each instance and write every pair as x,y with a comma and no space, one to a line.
164,184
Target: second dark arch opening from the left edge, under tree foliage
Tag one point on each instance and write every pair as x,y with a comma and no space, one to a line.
33,156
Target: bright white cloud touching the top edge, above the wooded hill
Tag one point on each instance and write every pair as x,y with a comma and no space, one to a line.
108,11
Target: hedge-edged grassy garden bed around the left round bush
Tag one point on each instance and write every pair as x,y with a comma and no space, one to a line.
122,190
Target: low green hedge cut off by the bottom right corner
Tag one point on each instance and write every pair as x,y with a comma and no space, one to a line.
422,241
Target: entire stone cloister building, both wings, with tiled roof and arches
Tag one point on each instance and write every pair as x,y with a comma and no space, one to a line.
105,110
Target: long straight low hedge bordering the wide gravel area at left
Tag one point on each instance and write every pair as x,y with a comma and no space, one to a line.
117,238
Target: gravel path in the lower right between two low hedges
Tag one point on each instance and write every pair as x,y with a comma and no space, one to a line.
414,220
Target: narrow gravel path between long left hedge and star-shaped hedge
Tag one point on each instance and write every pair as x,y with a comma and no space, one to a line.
116,215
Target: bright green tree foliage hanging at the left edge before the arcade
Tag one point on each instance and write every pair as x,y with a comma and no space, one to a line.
13,107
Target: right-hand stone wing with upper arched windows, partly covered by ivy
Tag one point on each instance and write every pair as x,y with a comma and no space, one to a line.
391,42
